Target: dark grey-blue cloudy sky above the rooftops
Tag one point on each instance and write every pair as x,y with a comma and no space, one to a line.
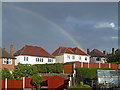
50,25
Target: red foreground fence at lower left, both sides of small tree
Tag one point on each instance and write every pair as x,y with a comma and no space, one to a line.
50,82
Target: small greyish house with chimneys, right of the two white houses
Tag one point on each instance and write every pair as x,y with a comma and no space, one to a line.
97,56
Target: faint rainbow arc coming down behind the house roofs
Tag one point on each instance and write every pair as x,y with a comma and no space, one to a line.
49,21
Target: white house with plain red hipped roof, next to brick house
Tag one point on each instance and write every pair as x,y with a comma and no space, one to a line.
33,55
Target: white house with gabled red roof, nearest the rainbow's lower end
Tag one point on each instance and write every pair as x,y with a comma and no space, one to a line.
68,54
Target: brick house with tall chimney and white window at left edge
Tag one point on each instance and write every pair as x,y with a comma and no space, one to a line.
7,59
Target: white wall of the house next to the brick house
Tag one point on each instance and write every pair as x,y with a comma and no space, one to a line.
31,60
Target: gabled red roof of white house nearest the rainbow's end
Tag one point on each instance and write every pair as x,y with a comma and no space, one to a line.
69,50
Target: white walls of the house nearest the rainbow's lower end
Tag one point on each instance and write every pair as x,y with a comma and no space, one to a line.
64,58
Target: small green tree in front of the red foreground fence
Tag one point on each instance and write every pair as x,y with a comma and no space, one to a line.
37,80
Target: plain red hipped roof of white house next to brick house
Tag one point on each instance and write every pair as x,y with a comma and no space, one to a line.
33,51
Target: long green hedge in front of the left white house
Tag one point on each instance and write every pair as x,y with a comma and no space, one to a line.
29,70
